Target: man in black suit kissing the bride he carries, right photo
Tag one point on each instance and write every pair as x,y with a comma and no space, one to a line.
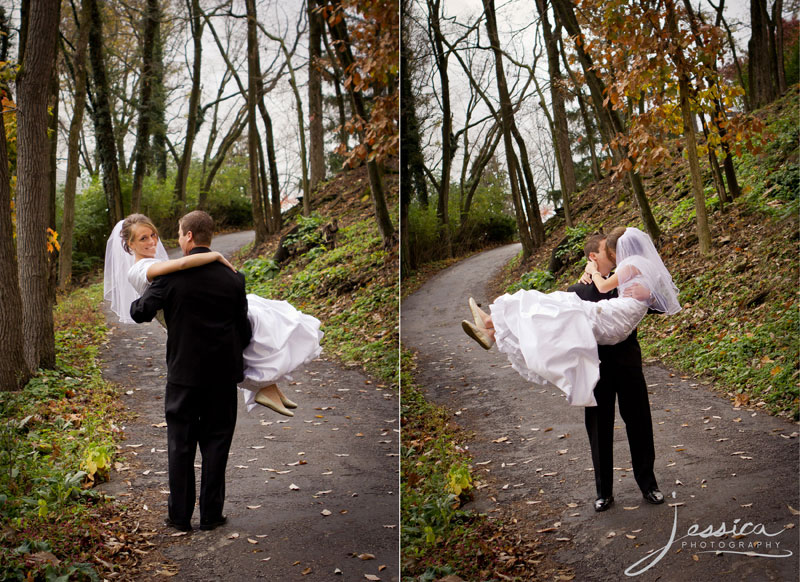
620,376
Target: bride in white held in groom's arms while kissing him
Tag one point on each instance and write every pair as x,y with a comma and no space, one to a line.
552,338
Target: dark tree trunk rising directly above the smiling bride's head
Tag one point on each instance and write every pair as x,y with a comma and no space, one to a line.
151,16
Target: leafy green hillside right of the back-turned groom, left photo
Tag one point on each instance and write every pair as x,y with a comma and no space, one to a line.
353,288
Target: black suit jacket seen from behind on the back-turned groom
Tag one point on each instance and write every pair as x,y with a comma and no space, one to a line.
205,309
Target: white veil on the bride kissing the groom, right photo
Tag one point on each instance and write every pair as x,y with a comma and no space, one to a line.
635,248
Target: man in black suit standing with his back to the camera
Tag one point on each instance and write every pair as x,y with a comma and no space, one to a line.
206,316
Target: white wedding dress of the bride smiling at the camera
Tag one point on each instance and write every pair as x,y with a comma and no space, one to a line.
283,337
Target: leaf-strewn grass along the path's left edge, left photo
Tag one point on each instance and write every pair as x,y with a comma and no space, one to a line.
57,439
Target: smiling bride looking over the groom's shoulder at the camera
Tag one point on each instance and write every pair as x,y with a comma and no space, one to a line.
283,338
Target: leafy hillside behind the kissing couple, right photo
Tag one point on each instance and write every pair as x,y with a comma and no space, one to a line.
739,325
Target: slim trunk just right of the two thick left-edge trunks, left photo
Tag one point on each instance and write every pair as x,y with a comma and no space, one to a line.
73,146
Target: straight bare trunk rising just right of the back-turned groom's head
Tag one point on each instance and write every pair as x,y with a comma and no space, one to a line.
252,130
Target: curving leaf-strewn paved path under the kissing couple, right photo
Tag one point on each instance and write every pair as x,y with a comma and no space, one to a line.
725,466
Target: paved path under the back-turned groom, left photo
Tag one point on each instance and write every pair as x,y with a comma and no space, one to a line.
305,496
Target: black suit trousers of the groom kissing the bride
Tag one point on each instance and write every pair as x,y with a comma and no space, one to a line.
629,385
